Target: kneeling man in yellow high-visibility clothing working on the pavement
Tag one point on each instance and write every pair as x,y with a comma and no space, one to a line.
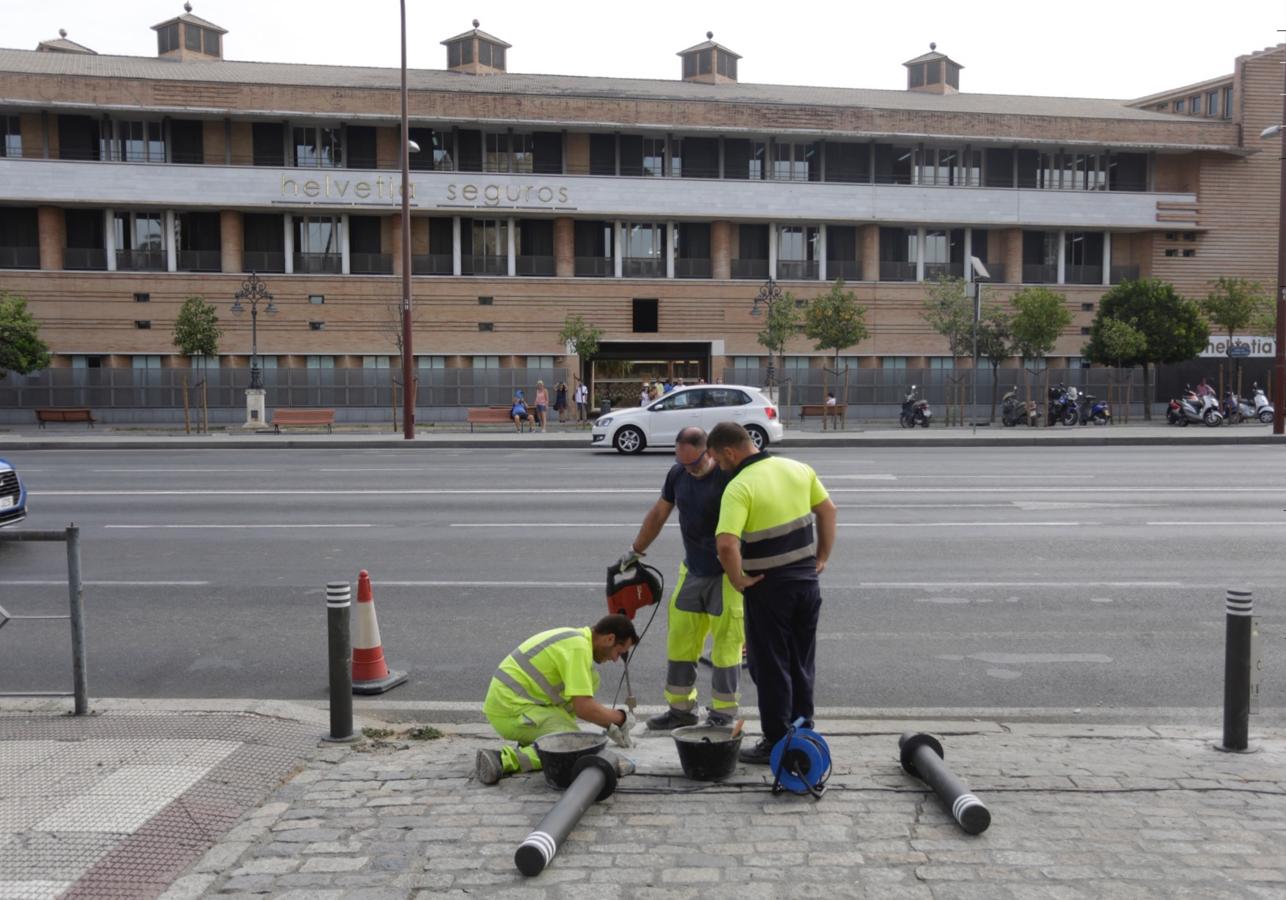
546,686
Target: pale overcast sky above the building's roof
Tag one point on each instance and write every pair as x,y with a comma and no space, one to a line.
1122,49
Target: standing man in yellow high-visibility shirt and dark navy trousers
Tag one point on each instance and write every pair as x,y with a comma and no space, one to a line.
776,532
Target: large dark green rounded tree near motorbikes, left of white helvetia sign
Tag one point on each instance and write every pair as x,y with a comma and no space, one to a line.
1172,327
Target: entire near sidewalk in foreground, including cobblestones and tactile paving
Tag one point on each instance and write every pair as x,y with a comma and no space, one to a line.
186,800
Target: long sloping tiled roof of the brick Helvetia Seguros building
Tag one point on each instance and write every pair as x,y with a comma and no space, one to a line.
223,71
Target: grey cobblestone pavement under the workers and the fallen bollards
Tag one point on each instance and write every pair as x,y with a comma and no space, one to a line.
1078,812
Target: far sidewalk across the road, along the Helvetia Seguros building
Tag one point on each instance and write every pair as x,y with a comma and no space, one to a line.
857,435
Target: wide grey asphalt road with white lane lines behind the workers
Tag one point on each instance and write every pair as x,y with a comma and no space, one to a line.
1035,578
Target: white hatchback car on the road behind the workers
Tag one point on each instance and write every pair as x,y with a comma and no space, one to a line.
660,422
